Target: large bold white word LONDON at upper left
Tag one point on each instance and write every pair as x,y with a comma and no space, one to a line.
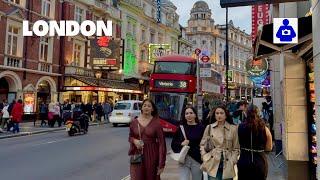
67,28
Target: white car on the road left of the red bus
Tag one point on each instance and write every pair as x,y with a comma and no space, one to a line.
125,111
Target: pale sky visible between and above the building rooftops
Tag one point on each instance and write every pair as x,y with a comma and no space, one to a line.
241,16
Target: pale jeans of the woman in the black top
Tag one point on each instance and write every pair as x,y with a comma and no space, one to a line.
192,167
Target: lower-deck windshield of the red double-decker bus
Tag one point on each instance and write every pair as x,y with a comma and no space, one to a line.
169,105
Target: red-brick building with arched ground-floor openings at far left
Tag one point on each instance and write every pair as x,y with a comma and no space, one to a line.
29,66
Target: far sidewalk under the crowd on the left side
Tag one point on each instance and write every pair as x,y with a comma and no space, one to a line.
27,128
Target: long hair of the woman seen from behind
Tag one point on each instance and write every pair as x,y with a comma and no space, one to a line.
253,120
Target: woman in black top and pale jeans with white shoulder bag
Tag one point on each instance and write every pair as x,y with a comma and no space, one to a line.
189,134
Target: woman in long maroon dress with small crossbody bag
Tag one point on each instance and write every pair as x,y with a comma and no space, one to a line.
147,144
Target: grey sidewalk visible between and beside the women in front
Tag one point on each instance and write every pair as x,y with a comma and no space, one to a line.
277,170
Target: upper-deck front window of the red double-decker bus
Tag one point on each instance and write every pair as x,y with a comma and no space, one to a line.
174,68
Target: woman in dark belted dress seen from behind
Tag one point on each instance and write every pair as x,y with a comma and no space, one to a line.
254,138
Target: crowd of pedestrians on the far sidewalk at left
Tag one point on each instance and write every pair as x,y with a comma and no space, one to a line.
50,114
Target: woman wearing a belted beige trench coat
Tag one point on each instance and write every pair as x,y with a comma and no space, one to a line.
220,146
